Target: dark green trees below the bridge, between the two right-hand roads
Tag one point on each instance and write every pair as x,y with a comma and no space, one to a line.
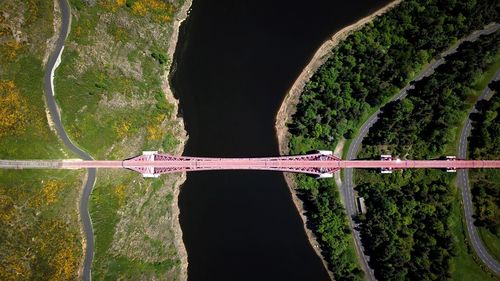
406,229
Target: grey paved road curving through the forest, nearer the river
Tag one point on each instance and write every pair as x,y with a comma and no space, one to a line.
347,190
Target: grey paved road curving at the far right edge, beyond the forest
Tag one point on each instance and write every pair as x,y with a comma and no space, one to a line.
463,184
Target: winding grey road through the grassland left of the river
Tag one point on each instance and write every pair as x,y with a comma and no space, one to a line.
56,118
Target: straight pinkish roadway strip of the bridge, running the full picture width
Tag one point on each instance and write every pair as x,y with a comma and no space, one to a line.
247,163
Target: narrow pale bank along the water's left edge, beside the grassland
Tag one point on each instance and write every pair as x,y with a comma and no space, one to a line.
181,136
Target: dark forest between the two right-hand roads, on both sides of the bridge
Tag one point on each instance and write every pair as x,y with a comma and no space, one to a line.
407,228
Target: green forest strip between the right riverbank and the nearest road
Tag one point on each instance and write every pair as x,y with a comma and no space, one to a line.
362,73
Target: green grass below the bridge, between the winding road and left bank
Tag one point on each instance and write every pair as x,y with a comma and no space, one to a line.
103,205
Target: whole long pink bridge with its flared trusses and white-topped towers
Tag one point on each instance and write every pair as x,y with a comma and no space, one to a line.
321,164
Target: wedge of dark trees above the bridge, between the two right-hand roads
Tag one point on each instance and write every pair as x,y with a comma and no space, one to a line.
435,104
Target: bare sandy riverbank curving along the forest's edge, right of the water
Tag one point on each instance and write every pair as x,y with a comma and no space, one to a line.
288,108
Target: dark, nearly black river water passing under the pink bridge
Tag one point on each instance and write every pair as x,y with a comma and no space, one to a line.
234,63
